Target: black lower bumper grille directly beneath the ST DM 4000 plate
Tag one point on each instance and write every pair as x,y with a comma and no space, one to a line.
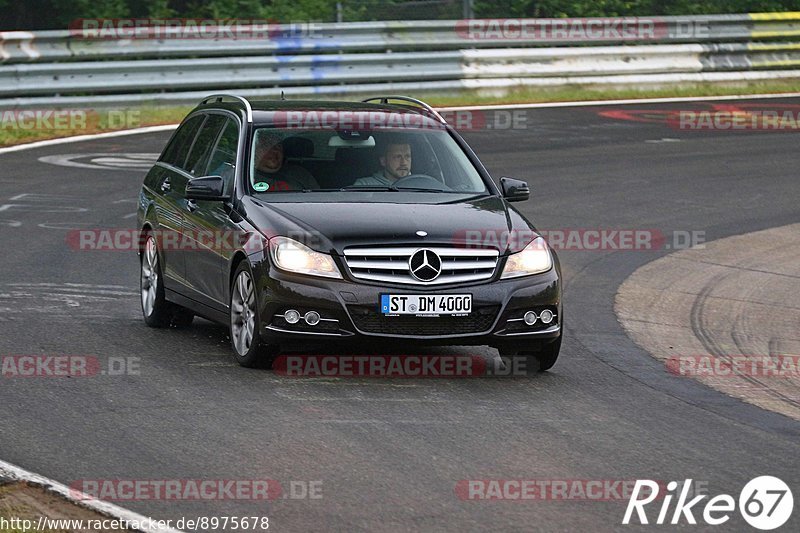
369,320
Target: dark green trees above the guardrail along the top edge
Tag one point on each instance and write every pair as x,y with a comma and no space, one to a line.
58,14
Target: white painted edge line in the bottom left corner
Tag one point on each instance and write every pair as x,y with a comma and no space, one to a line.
12,472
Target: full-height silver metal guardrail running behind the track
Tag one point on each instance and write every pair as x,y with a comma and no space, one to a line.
61,67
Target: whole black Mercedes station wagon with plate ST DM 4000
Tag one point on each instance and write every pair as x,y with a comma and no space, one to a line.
366,222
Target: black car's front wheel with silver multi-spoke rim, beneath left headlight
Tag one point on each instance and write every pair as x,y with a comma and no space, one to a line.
248,348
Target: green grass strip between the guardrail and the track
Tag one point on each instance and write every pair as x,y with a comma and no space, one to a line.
152,115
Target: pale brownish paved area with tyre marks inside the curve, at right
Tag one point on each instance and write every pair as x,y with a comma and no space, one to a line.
726,314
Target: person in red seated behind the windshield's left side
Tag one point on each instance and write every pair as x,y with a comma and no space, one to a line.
273,173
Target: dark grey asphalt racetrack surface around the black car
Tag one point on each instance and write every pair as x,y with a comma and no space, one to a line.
390,453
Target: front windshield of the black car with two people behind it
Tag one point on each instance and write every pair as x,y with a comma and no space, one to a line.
420,160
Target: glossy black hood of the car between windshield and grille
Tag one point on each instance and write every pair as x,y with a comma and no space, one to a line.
330,224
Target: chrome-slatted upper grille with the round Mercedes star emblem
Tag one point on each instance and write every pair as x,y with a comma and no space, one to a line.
391,264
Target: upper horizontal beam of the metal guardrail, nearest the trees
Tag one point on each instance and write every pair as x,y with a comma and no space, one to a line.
374,36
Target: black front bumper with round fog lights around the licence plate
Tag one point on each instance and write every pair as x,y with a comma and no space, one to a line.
350,312
